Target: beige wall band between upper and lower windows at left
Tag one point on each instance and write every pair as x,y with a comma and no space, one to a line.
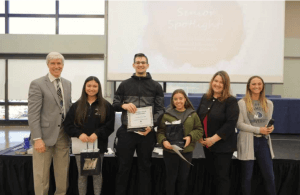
41,44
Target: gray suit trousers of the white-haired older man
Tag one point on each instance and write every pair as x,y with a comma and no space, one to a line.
42,162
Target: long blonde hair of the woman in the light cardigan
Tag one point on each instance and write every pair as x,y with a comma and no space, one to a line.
262,96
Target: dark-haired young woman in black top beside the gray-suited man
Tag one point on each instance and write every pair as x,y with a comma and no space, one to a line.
90,118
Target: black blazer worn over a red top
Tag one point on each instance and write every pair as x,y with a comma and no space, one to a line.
221,120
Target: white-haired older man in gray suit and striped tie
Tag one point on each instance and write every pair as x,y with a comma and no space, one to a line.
49,100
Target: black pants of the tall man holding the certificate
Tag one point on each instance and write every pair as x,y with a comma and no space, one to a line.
127,143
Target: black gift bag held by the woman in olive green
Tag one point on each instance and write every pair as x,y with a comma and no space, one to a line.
175,134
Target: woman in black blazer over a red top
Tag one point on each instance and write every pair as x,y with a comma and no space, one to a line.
219,111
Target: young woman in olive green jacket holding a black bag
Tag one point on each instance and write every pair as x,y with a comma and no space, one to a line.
183,114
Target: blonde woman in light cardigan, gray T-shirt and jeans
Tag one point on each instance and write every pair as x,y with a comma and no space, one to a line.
254,141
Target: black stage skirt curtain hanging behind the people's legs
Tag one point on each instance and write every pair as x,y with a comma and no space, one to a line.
16,177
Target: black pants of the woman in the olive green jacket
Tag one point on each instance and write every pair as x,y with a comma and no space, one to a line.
177,172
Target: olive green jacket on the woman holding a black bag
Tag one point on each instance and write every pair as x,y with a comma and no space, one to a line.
192,127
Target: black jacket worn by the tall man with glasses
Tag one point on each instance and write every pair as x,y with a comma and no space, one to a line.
142,92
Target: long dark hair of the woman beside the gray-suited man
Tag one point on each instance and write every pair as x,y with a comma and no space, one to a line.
81,111
